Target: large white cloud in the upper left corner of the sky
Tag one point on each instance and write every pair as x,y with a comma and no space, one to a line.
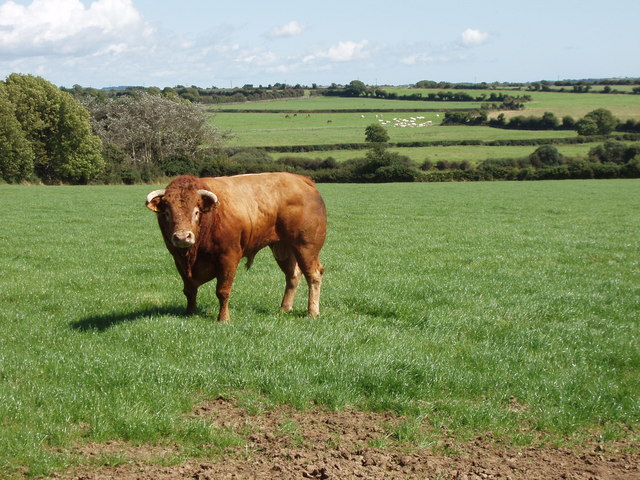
68,27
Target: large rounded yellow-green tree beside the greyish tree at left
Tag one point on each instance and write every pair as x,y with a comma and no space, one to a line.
58,130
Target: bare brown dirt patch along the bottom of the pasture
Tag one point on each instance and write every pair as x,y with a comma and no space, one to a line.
319,444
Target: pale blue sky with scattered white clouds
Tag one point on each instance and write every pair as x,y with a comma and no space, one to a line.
105,43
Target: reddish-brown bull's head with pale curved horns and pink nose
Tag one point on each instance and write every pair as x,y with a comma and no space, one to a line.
180,211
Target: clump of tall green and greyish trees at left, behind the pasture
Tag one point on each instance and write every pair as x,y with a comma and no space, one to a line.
47,135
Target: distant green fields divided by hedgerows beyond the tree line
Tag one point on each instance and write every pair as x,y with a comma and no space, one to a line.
278,125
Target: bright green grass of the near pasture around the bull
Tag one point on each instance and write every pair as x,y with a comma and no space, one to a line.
446,303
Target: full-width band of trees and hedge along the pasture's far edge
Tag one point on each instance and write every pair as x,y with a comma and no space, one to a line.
49,135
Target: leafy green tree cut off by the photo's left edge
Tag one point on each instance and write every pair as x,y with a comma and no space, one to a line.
16,155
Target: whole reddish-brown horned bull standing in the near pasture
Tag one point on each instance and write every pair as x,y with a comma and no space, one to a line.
209,224
